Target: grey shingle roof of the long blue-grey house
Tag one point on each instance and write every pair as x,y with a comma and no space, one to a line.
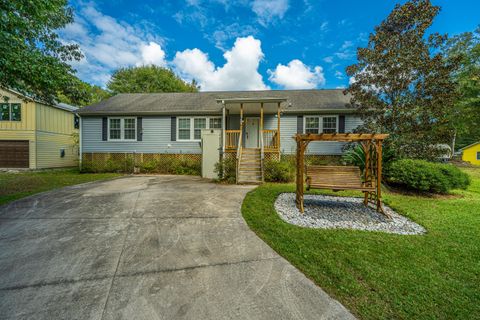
206,102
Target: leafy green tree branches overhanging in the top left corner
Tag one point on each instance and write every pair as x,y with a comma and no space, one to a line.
33,60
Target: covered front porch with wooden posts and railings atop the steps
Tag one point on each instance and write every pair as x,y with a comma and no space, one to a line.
252,124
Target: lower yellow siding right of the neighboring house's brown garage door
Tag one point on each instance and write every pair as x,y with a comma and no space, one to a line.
48,150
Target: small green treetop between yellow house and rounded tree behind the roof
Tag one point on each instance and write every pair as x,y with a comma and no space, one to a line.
88,94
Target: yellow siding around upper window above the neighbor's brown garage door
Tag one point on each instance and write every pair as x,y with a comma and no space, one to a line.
28,113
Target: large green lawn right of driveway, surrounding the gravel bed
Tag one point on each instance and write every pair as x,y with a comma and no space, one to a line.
385,276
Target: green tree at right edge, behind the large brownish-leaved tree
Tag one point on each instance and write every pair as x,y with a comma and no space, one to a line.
466,114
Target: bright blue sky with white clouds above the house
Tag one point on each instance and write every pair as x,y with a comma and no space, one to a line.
239,45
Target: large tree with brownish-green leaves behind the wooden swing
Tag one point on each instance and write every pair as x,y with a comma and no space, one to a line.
402,84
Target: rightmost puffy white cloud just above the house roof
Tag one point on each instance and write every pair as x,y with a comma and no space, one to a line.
296,75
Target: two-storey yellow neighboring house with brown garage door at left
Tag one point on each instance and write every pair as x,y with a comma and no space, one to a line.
36,135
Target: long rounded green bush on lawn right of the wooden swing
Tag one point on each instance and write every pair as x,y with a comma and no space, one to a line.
426,176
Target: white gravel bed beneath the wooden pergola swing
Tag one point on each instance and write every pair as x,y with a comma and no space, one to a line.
329,212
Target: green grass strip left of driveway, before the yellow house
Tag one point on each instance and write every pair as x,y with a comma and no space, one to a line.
14,186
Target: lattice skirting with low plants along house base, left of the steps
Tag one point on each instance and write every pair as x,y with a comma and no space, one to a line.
142,162
